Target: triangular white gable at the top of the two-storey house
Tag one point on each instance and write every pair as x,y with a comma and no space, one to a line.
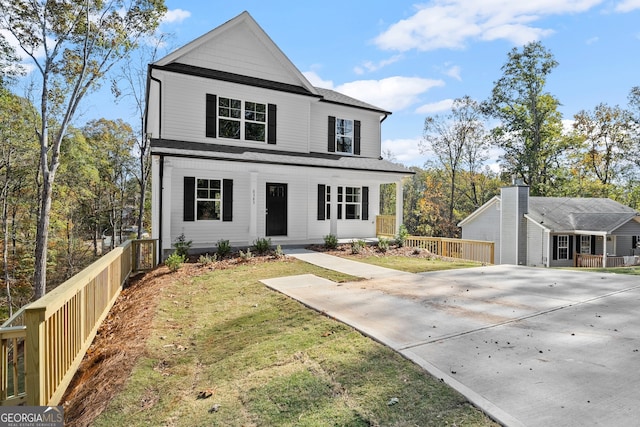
244,31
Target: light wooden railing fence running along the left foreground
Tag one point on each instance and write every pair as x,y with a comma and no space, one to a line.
42,345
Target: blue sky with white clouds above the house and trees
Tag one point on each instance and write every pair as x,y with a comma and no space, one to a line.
414,58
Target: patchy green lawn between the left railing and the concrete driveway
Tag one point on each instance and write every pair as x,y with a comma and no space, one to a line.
269,360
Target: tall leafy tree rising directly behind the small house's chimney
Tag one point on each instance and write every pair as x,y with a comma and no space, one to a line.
530,129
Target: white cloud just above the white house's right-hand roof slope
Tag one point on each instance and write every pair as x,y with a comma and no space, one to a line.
392,93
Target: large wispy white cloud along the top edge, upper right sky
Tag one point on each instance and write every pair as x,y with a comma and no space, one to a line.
452,23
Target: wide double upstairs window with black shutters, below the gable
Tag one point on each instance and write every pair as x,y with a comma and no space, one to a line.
231,118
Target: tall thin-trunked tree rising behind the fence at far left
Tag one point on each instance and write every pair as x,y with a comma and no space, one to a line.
72,44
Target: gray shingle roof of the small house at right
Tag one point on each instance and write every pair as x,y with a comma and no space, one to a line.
579,214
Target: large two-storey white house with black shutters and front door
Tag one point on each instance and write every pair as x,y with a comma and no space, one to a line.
244,147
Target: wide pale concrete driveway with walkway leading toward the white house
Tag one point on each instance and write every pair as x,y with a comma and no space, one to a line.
530,346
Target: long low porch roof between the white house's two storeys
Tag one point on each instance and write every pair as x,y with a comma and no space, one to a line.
261,155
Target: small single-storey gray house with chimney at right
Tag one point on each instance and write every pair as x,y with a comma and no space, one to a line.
552,231
